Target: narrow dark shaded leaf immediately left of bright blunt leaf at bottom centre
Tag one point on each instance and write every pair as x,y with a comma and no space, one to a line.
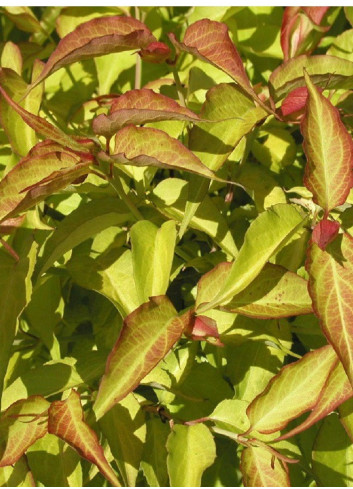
154,458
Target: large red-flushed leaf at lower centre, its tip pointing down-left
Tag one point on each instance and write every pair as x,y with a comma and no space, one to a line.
147,335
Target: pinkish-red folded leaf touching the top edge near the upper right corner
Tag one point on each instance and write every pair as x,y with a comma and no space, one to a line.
301,31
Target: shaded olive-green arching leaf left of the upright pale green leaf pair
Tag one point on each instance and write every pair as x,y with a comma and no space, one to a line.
82,223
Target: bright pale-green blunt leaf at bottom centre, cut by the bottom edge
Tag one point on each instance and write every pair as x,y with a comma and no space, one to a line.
191,449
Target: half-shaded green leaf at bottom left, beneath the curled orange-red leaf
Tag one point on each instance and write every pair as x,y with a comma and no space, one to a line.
54,463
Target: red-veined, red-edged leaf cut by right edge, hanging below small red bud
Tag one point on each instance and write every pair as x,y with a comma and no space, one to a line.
330,287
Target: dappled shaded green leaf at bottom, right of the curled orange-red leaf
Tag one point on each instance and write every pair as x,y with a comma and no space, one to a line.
125,429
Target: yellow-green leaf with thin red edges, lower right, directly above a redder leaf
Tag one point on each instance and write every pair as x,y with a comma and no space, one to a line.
293,391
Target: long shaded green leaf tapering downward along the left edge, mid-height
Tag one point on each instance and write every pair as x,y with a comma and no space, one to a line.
16,287
